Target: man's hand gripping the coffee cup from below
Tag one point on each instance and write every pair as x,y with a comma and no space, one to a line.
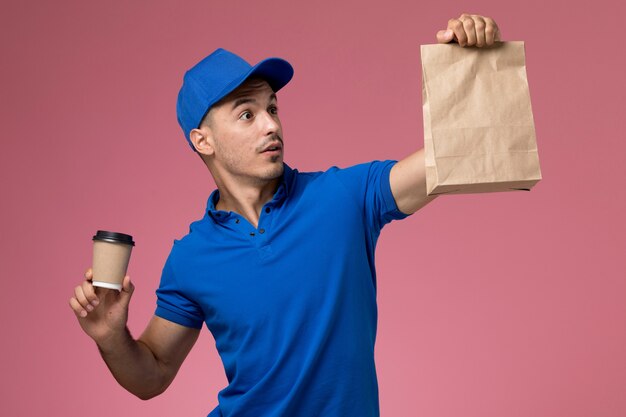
101,312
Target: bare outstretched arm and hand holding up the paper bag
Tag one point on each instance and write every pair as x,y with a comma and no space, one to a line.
408,176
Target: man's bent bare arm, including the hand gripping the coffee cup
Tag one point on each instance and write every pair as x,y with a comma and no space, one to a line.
146,366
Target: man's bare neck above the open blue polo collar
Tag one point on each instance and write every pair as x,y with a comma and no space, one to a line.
246,199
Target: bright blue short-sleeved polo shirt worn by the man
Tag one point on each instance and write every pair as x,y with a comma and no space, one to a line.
292,303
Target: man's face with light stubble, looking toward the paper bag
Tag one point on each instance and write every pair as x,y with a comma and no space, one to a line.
244,134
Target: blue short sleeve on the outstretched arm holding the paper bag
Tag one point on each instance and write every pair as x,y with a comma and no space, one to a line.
369,183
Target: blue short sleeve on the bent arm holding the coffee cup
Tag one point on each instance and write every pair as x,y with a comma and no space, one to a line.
172,303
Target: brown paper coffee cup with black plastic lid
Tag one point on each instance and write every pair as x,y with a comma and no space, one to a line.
111,253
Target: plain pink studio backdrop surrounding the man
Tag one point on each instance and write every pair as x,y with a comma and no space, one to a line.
508,304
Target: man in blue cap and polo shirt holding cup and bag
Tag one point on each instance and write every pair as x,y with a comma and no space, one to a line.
281,266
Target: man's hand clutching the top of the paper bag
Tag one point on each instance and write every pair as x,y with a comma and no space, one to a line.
470,30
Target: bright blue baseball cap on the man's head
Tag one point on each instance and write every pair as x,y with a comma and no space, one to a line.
215,77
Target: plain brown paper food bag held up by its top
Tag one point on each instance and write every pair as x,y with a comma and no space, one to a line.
479,133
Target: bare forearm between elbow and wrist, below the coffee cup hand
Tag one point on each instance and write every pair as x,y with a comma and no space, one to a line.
134,365
